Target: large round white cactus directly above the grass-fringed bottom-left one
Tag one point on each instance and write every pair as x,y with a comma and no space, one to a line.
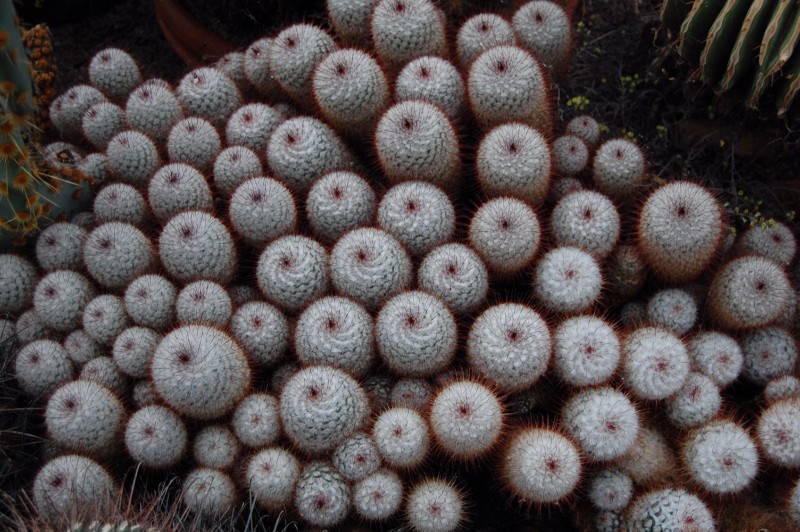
85,416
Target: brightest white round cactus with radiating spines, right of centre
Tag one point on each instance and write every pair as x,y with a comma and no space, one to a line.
568,280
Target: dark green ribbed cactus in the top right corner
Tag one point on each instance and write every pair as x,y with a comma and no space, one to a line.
744,47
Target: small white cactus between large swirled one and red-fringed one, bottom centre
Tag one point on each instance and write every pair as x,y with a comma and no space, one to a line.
402,437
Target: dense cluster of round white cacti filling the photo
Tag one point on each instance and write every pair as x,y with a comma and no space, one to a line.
313,283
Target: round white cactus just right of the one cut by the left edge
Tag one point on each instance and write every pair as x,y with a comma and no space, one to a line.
59,299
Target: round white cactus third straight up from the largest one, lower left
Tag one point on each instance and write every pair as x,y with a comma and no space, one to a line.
177,187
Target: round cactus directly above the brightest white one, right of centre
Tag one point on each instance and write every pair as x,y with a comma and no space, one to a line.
587,220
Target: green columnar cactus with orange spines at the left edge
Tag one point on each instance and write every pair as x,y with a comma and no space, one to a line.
28,195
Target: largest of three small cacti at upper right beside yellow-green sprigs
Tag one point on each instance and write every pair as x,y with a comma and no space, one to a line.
619,169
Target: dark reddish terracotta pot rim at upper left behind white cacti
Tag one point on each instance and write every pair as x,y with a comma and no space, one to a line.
191,41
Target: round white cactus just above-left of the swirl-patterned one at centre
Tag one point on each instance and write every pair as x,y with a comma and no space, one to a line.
338,202
